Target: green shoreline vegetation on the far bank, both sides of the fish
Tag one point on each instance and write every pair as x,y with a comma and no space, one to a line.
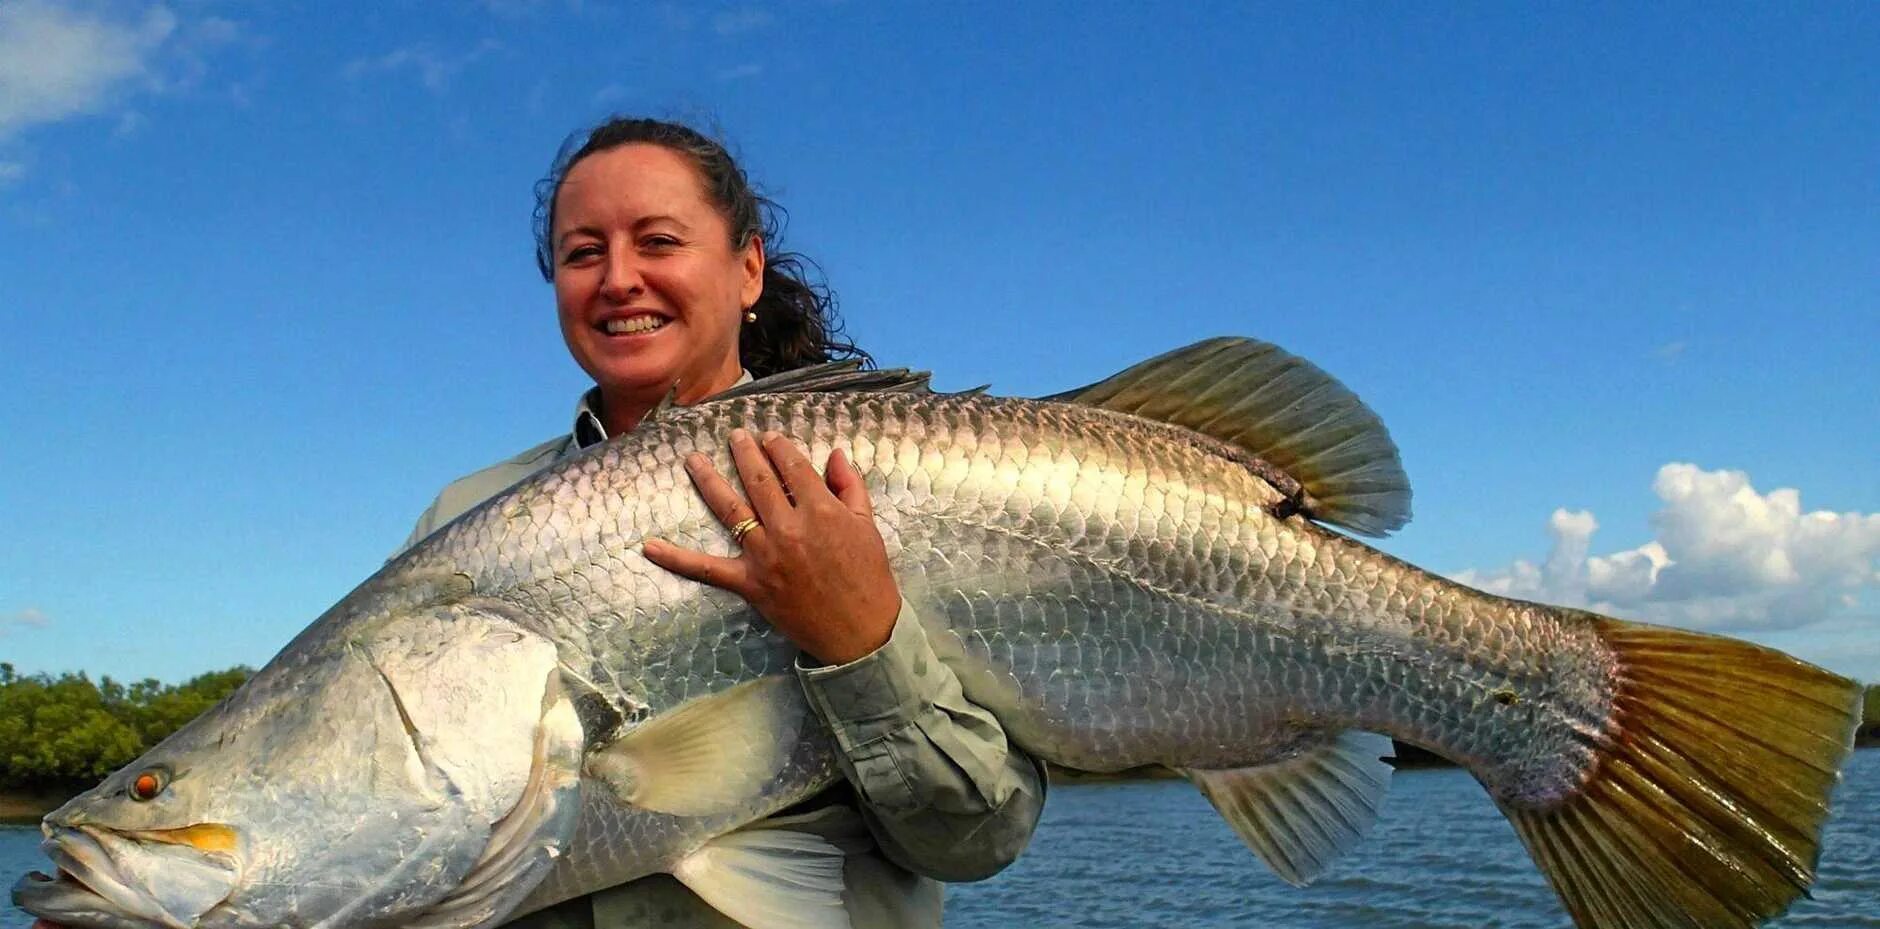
63,734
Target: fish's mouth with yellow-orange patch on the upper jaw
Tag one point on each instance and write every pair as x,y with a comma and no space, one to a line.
104,879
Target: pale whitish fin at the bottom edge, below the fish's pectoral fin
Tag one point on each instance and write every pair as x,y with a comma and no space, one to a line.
770,879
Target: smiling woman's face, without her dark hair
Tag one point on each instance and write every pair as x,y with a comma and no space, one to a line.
648,285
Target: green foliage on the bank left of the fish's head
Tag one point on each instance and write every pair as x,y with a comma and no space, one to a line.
61,731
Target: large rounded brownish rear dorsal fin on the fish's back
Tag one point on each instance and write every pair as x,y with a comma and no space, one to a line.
1283,411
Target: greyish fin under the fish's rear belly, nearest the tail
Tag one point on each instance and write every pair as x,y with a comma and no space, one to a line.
1300,815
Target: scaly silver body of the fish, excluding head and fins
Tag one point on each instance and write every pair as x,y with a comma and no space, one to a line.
1114,590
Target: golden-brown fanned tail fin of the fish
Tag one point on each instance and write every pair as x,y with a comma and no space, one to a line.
1706,806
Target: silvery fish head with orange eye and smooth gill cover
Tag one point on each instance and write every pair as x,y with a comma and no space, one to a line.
426,766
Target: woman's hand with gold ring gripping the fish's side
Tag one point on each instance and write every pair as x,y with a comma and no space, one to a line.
815,565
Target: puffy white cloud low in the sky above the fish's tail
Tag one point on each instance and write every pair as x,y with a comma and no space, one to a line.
1723,558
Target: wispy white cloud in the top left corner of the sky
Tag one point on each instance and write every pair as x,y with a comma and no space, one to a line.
59,61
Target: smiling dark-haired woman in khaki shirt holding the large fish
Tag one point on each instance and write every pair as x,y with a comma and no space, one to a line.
665,281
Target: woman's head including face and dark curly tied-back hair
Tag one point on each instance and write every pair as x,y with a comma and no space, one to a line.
650,225
